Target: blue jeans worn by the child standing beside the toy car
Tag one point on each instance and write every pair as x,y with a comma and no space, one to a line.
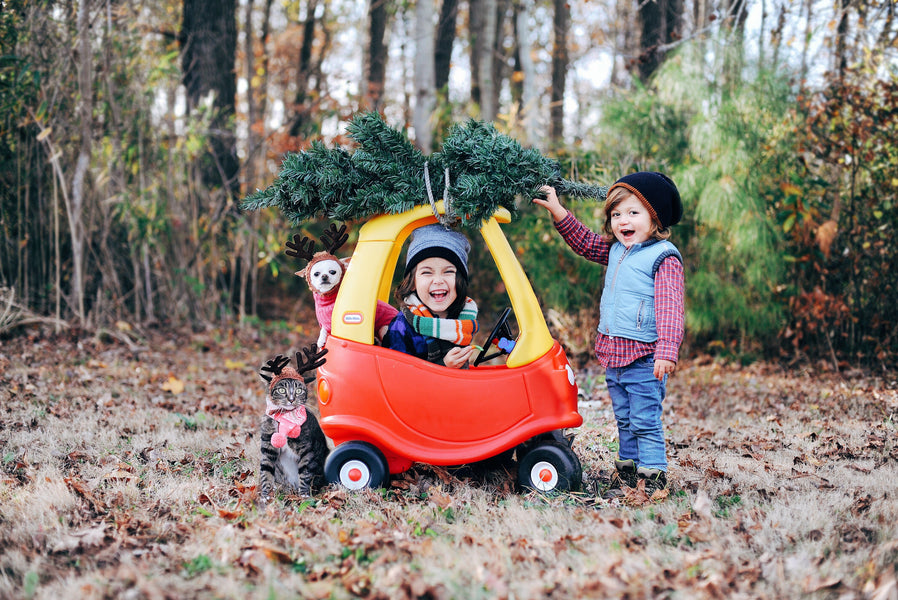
636,398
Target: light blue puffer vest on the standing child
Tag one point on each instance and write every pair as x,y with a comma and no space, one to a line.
627,308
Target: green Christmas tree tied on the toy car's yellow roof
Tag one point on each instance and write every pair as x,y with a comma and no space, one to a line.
386,175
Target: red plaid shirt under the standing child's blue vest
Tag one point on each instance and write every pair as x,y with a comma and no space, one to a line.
669,293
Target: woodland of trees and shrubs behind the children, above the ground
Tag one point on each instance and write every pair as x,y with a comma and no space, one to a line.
131,130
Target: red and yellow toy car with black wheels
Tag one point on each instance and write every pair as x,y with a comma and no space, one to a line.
385,410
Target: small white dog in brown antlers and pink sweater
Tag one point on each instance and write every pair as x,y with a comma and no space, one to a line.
324,274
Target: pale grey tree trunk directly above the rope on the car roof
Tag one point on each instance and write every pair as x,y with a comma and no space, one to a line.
425,77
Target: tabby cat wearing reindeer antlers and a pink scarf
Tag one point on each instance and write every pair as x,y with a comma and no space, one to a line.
293,446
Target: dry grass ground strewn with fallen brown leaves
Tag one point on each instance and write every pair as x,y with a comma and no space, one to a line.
130,472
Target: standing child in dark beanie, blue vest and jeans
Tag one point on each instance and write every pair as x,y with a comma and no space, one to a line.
640,314
